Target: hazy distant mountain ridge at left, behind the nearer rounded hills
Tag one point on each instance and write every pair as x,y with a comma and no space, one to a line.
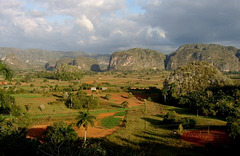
38,58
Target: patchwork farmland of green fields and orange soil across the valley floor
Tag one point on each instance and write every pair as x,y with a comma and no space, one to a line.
138,127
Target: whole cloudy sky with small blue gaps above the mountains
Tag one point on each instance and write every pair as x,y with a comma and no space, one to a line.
106,26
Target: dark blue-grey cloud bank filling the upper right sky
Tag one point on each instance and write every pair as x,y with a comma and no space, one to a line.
188,21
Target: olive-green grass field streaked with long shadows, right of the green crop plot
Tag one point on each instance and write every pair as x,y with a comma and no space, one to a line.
147,128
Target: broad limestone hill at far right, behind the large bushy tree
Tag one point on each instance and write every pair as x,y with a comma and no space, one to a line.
225,58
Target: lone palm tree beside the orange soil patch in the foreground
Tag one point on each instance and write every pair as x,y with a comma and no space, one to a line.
84,118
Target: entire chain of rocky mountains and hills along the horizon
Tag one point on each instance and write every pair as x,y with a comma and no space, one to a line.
225,58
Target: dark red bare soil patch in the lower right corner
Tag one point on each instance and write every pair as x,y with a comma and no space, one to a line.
201,137
